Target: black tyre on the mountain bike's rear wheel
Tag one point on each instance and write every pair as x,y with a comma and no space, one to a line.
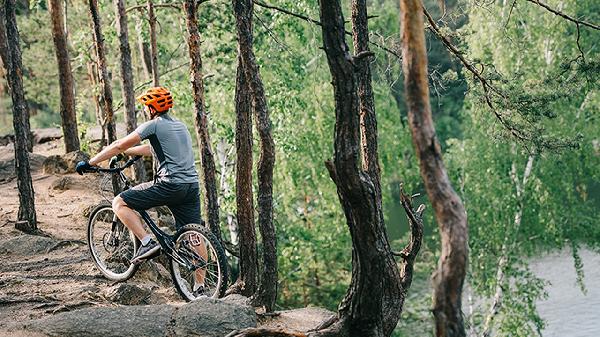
215,258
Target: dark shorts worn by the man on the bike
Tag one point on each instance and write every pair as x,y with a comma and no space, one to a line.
182,199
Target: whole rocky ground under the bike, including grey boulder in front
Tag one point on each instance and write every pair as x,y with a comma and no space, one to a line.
50,286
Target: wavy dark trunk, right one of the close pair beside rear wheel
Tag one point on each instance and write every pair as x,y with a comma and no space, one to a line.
267,291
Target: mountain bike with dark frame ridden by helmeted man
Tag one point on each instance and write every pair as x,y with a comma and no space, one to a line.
193,251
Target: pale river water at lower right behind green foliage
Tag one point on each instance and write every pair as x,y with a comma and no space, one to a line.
567,311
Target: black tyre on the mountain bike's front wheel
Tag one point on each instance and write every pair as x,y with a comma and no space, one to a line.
111,272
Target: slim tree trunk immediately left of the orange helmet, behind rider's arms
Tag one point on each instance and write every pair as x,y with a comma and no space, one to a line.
127,81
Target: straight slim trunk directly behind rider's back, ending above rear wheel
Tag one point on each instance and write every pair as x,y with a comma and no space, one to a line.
207,159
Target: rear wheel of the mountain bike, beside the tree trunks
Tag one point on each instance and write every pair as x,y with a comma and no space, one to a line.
205,267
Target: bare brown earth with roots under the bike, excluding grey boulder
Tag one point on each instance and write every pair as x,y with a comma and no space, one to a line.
41,275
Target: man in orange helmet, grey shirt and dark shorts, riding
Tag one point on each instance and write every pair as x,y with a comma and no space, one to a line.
176,180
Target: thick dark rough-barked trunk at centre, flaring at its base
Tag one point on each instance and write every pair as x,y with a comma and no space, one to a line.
374,300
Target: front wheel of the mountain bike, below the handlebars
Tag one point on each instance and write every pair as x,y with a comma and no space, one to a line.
111,244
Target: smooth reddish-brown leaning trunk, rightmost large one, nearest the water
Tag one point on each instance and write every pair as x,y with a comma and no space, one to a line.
449,210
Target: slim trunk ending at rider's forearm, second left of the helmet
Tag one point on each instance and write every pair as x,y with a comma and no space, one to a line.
106,99
